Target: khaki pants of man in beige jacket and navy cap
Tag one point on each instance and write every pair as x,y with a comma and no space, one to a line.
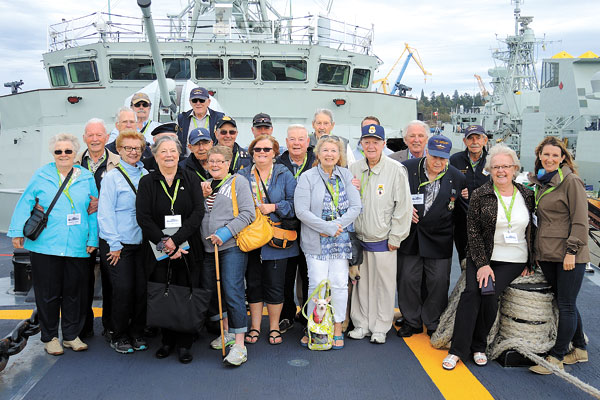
374,294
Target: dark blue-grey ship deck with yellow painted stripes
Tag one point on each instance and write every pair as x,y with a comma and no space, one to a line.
401,368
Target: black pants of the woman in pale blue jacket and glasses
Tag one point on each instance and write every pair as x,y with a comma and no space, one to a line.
128,284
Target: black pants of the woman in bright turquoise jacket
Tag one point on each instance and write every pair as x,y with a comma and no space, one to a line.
60,286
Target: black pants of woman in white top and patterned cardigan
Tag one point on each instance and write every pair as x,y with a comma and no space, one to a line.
476,314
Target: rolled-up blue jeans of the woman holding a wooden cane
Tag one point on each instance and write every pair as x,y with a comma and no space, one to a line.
232,265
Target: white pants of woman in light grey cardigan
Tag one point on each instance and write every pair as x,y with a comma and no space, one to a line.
337,273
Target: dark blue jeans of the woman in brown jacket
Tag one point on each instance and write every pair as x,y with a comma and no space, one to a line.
566,285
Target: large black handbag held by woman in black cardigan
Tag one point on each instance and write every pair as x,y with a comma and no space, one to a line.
178,308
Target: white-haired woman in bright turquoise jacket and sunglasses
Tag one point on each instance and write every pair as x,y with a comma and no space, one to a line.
59,255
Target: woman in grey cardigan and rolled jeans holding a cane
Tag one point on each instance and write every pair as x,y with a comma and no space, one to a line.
219,227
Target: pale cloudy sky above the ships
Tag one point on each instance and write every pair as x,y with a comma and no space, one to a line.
454,38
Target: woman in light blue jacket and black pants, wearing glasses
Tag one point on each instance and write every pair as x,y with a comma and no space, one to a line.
121,244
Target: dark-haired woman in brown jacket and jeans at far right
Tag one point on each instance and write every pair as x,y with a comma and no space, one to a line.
561,248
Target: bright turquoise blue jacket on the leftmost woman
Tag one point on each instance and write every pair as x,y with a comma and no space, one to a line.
57,238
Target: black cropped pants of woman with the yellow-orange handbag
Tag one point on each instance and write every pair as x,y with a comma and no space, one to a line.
265,279
